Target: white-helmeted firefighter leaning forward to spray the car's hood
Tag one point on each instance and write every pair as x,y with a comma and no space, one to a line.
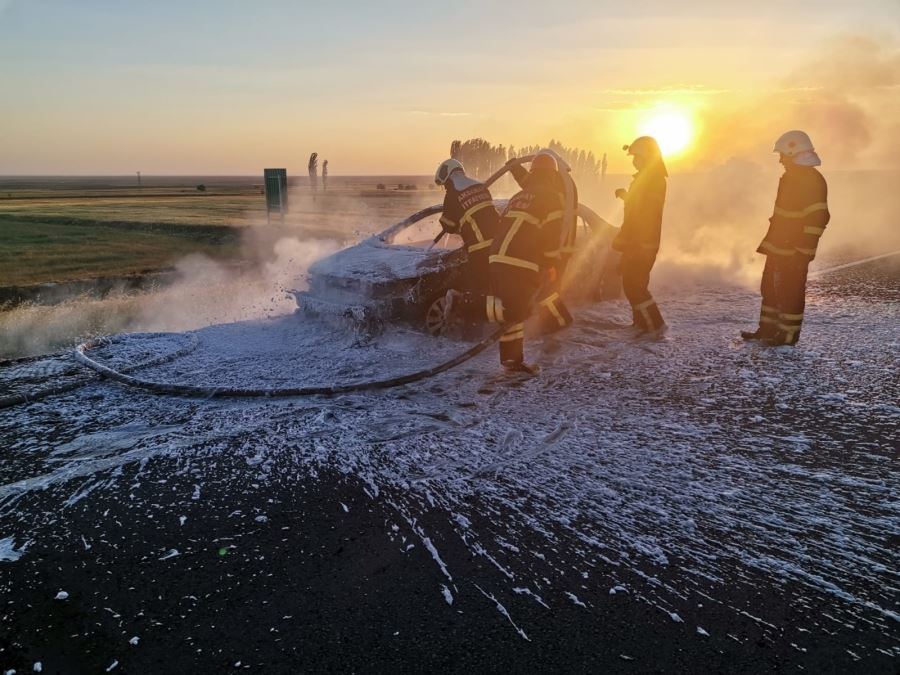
469,212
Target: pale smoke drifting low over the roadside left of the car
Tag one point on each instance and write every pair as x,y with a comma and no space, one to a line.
273,261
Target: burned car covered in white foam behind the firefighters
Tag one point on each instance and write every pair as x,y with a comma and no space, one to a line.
403,273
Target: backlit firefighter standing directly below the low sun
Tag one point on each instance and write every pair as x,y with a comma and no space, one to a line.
638,240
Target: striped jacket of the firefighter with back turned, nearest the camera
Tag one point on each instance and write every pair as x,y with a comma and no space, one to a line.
530,229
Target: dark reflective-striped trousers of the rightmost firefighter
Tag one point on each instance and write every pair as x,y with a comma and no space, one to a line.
783,290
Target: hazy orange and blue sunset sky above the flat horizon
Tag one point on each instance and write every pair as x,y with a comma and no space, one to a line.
227,87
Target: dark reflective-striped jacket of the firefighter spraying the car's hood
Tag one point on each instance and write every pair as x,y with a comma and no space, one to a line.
469,211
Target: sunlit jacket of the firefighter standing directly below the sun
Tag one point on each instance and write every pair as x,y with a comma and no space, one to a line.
642,224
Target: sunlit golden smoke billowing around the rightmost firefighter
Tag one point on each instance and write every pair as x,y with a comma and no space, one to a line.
847,98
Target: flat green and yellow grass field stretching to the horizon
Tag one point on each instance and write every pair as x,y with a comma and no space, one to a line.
83,230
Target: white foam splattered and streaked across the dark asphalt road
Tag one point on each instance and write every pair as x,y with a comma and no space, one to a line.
675,473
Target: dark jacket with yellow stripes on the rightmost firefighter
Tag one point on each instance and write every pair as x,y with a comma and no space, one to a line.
800,215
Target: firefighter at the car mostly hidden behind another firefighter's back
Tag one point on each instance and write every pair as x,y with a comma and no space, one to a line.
553,315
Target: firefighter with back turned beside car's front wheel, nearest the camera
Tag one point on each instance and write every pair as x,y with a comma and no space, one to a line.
529,233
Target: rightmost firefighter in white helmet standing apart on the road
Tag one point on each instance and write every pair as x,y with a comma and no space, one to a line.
799,219
